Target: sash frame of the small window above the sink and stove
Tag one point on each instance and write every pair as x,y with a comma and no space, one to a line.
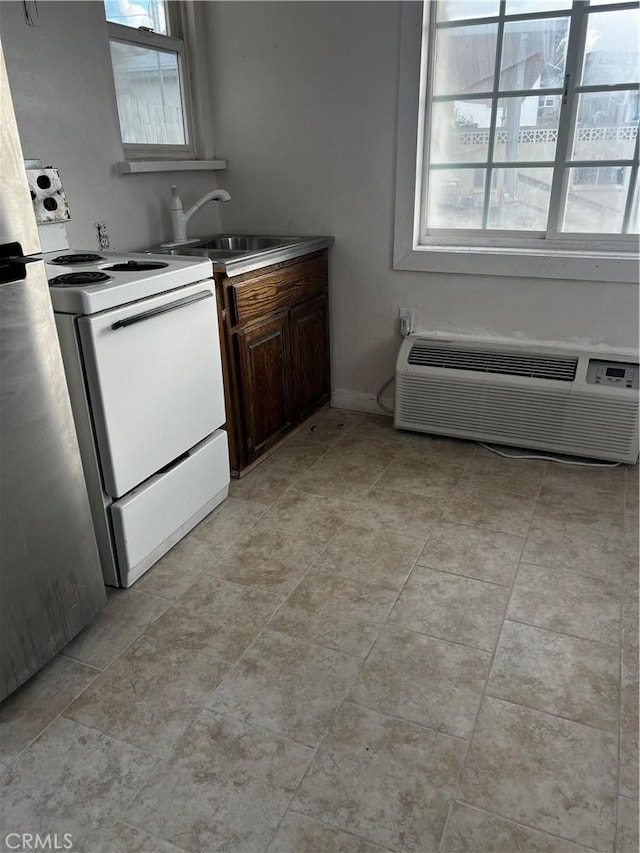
174,42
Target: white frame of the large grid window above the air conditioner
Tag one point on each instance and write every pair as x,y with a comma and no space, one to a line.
574,256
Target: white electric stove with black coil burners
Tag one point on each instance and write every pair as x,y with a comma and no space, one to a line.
140,343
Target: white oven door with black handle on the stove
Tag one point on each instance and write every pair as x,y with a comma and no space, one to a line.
154,381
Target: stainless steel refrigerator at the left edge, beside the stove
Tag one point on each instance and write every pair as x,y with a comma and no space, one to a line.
51,583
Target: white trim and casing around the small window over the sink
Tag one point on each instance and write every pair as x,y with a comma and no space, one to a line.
185,19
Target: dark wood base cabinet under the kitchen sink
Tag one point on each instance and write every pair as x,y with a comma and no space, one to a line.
275,347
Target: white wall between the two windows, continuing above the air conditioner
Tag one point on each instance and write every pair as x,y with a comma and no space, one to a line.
305,100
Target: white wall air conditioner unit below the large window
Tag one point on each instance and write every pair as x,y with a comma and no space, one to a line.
549,398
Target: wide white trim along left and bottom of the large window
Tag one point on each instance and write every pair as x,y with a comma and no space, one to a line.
591,264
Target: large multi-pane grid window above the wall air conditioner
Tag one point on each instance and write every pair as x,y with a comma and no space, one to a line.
526,134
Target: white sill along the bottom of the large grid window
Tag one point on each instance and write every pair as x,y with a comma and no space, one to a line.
516,263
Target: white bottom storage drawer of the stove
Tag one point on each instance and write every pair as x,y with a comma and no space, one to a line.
150,520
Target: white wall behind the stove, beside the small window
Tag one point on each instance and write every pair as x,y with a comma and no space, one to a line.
62,87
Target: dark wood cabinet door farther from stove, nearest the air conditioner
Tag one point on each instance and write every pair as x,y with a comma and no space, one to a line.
310,356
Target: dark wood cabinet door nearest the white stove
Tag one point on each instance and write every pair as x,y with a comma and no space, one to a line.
263,358
